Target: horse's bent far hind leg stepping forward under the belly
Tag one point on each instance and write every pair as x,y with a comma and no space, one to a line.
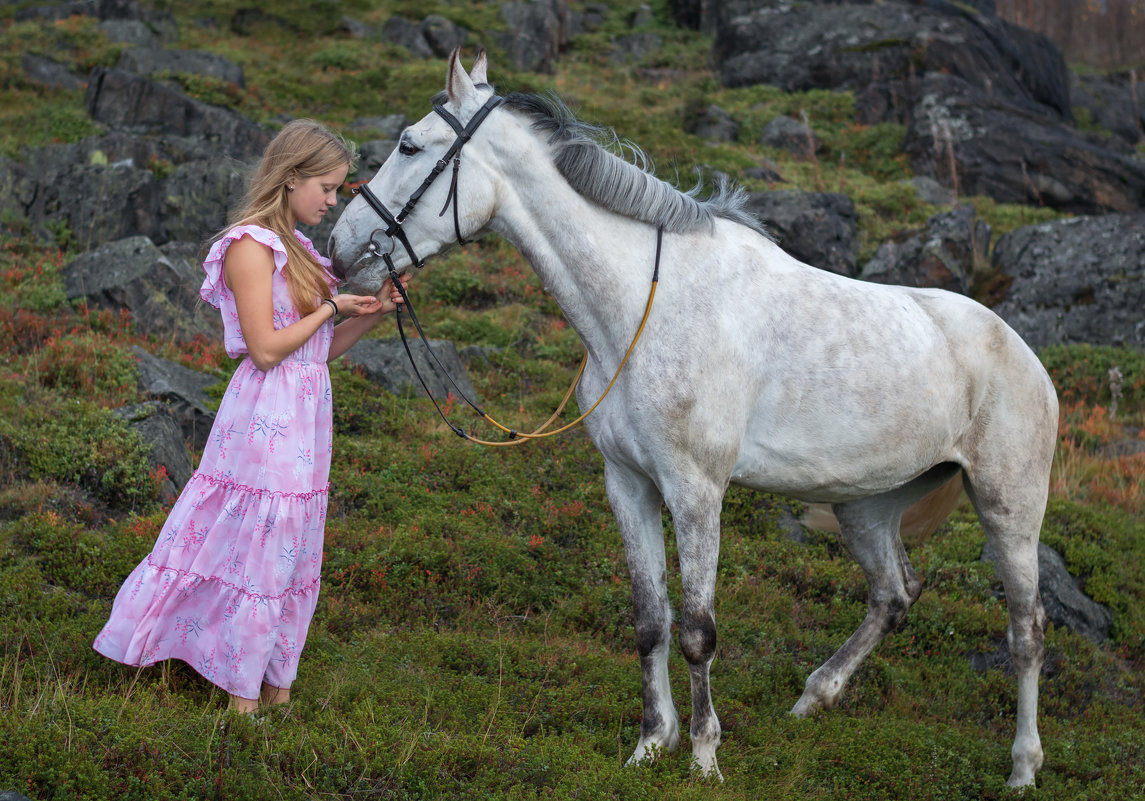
871,533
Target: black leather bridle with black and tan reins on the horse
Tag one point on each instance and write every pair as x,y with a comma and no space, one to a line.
397,234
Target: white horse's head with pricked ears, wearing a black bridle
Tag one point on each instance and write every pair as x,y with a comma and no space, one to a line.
425,172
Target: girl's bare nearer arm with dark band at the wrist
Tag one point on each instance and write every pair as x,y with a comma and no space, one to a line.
249,269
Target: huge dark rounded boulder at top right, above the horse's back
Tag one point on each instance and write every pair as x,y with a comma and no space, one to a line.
887,47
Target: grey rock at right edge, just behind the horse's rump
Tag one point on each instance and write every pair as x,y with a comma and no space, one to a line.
1077,281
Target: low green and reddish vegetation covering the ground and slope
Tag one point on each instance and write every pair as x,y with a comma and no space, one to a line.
473,637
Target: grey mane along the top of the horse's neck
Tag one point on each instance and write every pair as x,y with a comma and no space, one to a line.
581,155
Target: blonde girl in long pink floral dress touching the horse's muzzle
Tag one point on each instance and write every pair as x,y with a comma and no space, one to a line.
233,581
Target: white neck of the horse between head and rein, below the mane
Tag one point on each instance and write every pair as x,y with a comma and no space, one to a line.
595,264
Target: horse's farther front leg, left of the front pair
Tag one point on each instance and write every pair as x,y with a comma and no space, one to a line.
636,504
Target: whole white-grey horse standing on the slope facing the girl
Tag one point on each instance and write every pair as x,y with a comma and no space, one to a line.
754,369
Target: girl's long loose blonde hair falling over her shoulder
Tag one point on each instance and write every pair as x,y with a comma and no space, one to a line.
302,150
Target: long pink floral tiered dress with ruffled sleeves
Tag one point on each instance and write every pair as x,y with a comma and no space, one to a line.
233,581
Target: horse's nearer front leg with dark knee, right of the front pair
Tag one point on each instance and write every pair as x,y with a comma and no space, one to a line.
698,534
